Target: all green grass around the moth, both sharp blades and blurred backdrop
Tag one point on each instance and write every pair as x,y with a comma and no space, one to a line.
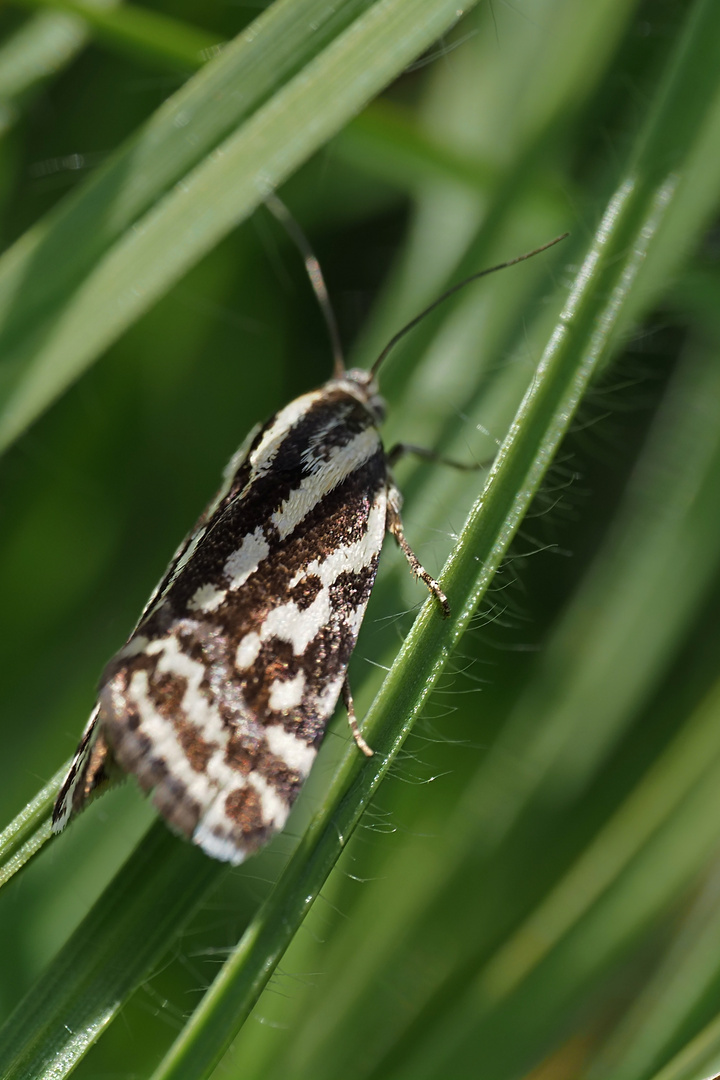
548,904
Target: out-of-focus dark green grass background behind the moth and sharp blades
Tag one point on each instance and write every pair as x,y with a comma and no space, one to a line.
535,890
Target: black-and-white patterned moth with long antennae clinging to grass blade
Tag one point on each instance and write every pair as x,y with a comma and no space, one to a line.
221,698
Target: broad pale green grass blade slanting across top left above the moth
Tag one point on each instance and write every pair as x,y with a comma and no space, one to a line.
110,278
